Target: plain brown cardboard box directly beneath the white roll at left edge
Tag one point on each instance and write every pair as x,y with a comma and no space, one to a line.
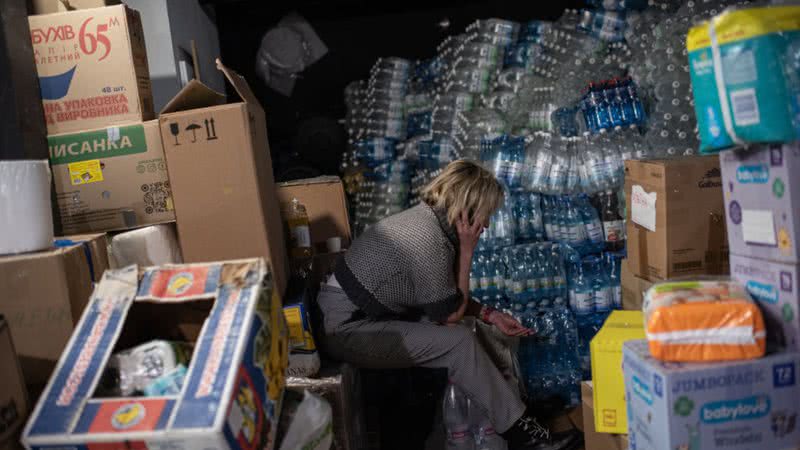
44,294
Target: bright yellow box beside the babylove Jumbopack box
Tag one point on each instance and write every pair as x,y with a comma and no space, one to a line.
610,415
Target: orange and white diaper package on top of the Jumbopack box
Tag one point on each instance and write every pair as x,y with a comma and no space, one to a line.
693,321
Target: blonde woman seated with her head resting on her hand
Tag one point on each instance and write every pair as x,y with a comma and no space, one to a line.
398,294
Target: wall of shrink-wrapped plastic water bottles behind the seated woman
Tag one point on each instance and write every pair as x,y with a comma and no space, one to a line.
553,109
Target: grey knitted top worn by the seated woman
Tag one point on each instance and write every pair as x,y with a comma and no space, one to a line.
403,267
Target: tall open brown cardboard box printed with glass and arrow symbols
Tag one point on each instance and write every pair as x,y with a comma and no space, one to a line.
221,176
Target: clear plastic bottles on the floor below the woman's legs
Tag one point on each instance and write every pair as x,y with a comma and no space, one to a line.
467,424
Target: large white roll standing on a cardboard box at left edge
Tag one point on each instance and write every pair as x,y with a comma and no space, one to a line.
26,218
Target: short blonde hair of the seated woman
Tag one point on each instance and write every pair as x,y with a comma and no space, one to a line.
465,186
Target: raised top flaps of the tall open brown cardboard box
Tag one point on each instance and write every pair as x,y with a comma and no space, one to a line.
197,95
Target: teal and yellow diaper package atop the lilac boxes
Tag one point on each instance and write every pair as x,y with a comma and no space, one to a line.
745,71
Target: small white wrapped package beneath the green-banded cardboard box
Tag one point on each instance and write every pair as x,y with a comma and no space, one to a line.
149,246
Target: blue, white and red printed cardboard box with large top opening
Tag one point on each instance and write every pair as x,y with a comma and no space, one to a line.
234,382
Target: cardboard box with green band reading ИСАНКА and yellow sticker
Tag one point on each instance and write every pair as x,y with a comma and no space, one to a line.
111,178
